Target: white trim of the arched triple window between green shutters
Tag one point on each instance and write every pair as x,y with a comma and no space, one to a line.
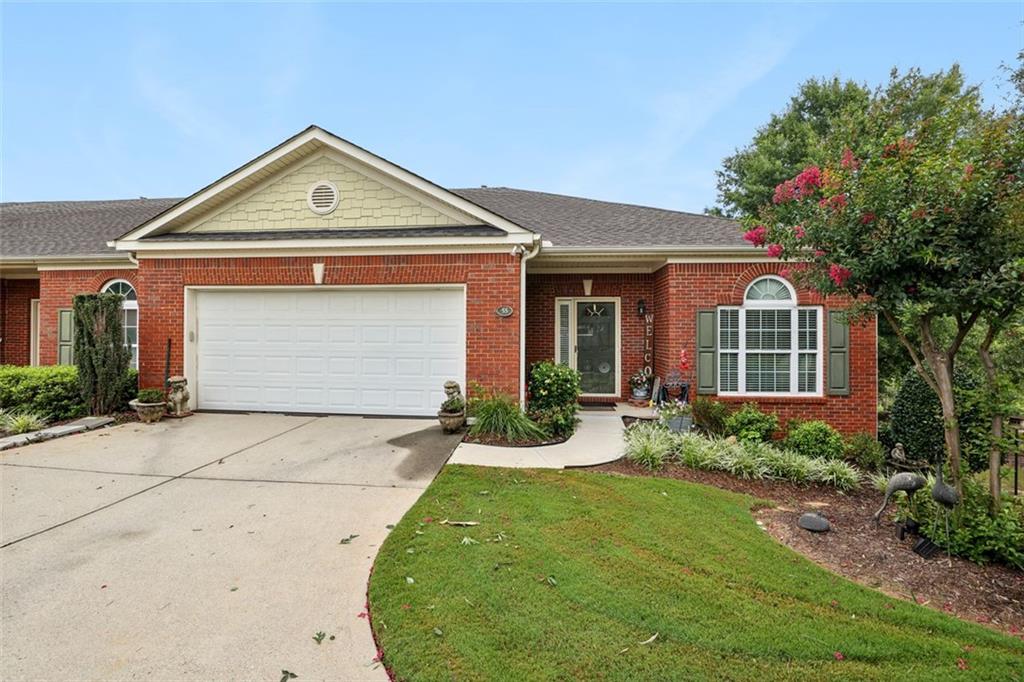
794,351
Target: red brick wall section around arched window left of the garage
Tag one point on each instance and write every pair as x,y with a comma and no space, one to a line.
57,291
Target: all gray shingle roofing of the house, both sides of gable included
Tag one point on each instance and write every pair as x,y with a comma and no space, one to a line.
40,230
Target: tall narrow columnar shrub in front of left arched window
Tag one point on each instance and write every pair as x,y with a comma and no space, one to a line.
101,354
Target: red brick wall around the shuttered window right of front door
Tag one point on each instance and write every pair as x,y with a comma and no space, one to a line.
682,289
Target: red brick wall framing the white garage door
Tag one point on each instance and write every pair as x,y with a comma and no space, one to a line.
492,280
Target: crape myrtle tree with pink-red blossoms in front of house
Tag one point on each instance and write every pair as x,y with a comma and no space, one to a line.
917,216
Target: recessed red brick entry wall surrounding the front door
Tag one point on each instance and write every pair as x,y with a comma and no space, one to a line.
542,290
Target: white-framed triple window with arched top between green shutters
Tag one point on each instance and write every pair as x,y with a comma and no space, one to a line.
770,346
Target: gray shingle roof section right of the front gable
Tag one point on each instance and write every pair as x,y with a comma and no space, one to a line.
573,222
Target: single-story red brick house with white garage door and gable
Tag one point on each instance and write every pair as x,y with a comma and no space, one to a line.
320,278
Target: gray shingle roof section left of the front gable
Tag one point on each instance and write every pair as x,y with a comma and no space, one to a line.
71,229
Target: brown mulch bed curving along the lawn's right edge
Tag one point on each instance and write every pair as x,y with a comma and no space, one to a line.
992,595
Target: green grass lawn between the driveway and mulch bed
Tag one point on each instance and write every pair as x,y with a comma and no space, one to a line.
572,572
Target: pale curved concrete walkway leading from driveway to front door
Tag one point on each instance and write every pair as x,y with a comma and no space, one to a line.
599,441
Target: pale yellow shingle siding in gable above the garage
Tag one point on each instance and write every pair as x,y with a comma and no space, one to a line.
365,203
